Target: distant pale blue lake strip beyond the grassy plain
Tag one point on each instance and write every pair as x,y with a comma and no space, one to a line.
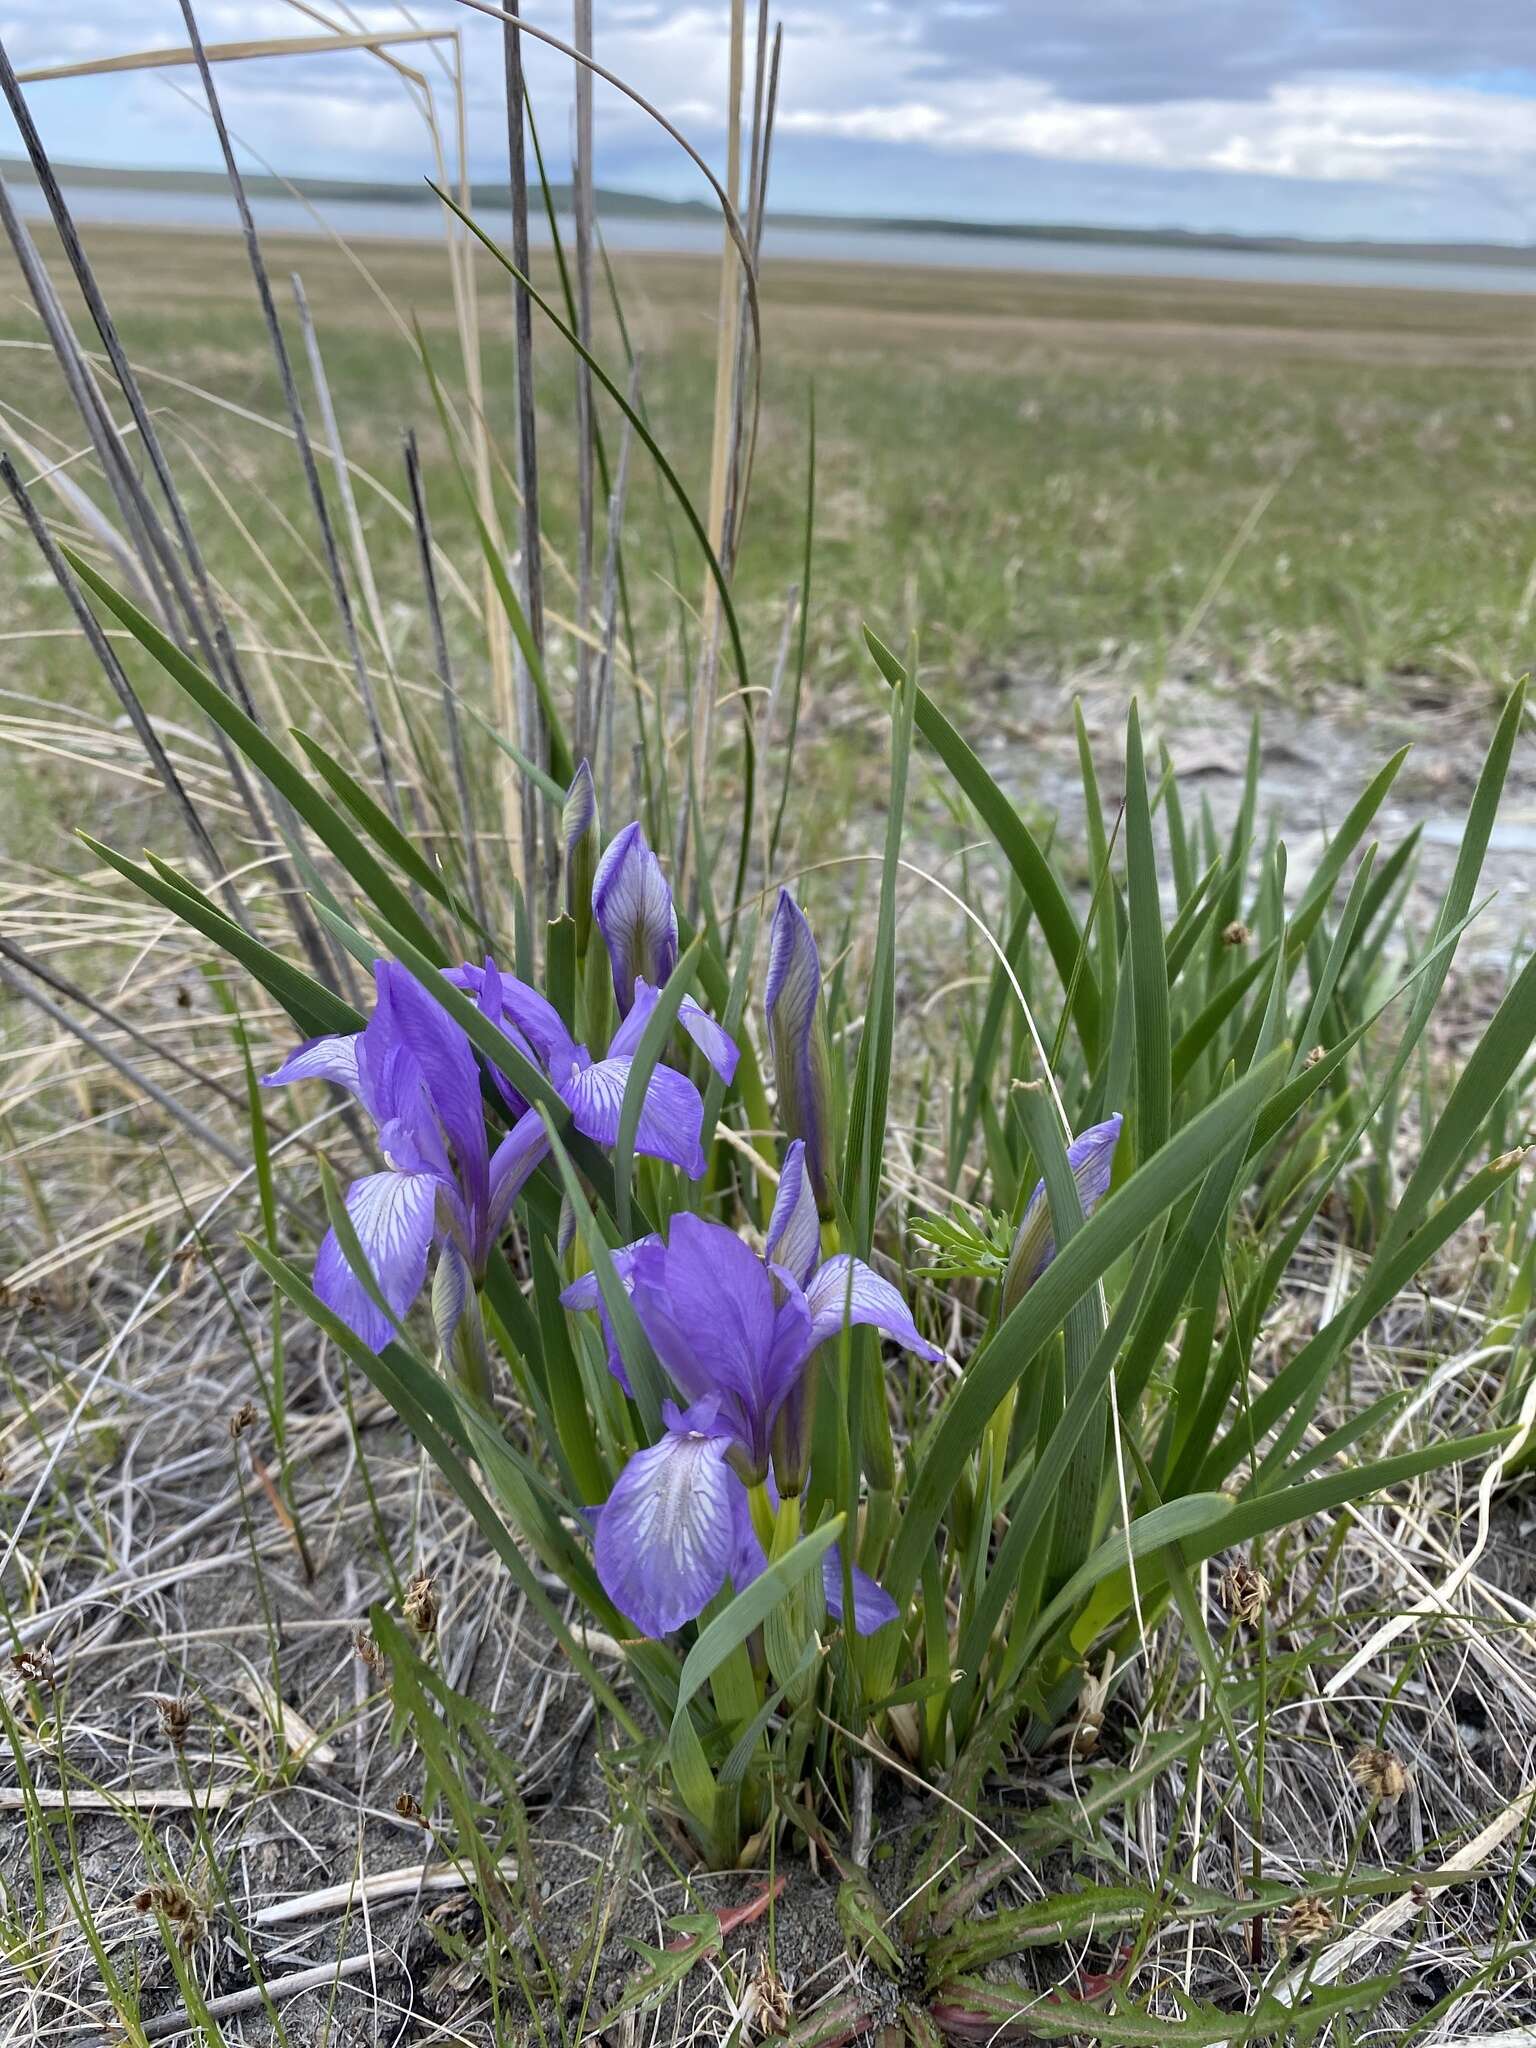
359,220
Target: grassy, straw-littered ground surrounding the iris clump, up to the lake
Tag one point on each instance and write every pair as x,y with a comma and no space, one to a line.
1218,497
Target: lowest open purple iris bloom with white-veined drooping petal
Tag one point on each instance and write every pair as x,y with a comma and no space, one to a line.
736,1336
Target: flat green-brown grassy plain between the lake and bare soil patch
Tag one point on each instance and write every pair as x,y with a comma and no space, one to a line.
1033,468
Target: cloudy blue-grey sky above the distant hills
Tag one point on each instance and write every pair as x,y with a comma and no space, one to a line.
1394,120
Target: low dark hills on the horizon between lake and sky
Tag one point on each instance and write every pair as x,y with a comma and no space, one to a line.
644,206
